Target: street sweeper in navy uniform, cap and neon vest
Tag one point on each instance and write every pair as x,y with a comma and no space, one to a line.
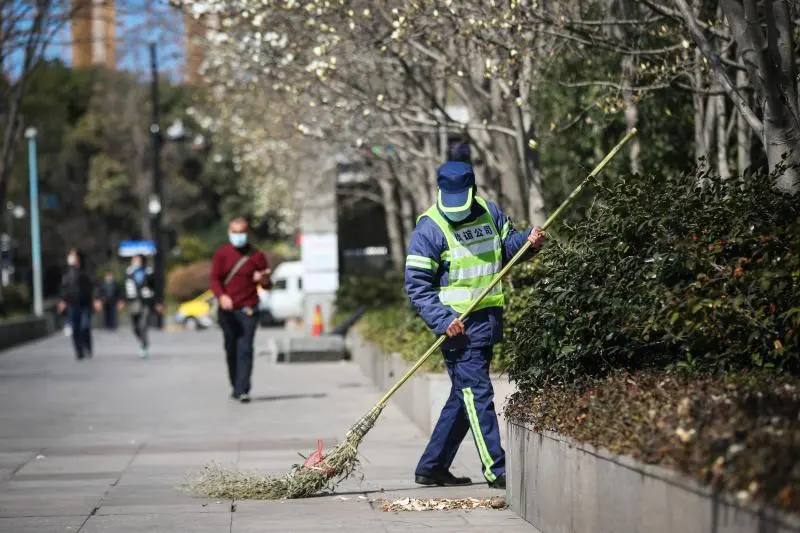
457,248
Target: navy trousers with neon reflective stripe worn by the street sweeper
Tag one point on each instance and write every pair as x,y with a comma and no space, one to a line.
470,406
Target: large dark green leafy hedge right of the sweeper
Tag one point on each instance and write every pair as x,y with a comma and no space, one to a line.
692,272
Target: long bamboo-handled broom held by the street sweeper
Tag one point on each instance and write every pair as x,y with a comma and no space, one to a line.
322,471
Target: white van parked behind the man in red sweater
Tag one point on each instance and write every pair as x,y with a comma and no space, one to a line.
285,299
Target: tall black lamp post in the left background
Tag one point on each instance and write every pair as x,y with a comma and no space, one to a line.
155,205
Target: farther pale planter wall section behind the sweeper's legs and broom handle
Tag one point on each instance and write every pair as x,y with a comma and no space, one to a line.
421,399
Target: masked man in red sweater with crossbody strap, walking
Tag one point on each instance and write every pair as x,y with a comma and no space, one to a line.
237,270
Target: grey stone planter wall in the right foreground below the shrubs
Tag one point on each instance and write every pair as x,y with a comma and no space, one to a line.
562,486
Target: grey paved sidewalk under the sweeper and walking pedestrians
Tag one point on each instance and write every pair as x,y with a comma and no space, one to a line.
103,445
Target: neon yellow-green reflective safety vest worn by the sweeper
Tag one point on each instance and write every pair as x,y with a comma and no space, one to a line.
475,253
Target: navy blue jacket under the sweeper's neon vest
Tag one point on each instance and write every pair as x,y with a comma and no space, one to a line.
483,327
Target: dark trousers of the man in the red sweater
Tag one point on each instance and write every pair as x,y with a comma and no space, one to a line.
239,329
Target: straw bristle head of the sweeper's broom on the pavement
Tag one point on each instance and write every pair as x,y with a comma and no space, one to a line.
215,481
